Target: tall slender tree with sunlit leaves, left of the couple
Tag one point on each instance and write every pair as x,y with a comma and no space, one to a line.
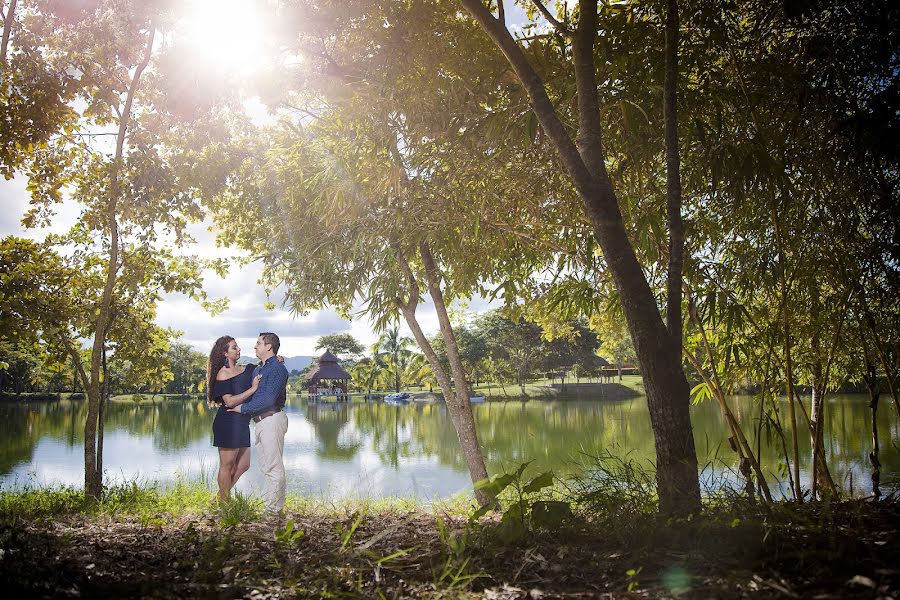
129,191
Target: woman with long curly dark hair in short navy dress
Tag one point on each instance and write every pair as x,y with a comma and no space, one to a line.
227,385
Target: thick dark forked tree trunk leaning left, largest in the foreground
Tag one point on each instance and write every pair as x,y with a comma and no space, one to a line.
664,380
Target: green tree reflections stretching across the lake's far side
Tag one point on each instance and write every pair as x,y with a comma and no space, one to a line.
557,435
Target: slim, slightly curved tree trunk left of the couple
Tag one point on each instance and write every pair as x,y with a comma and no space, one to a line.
93,468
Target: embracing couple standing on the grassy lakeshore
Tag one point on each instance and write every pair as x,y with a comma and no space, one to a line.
243,394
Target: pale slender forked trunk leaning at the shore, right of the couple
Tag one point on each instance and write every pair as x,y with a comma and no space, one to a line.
460,409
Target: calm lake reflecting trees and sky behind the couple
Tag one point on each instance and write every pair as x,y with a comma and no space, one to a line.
375,450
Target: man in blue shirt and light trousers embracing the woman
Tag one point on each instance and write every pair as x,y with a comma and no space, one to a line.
266,407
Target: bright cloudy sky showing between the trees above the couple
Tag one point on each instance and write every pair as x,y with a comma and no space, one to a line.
246,315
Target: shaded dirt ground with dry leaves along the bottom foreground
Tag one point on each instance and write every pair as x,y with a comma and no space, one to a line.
850,550
